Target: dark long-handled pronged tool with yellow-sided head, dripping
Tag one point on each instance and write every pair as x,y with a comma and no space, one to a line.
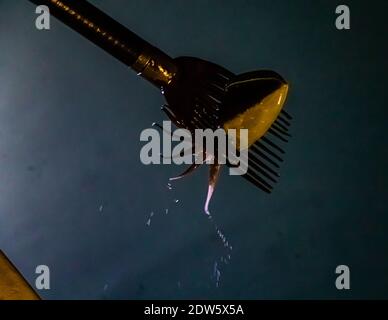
199,94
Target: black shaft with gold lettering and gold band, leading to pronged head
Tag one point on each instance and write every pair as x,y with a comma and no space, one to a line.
105,32
